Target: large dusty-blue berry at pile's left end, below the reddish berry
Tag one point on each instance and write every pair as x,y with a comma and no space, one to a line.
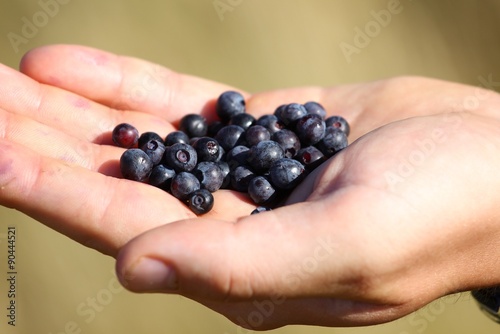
135,165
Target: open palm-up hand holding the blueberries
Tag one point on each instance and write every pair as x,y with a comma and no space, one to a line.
385,227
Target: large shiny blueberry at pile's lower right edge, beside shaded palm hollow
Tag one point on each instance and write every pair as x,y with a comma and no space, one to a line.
286,173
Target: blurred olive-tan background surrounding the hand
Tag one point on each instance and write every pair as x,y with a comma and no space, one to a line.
254,45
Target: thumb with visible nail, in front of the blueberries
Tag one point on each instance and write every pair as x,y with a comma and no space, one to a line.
286,252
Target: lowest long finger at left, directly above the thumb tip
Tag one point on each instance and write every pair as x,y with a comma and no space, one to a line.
98,211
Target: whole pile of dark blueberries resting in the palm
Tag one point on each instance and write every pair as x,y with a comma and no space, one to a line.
265,157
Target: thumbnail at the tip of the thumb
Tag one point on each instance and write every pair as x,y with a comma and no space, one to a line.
149,274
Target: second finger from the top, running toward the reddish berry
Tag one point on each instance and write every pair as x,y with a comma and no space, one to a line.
68,112
